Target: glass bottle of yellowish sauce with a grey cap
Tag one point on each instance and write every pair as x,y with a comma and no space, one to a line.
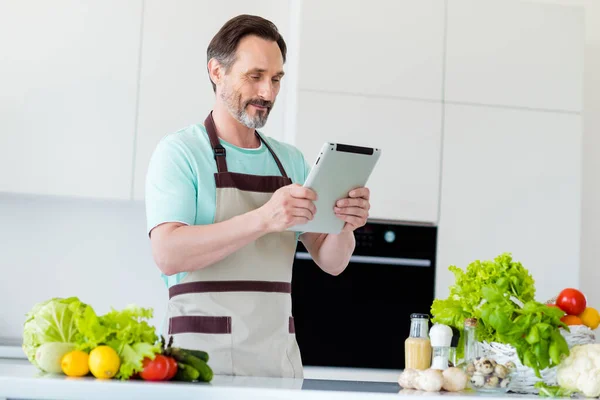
417,347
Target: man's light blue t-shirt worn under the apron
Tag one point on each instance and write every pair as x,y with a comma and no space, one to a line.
180,183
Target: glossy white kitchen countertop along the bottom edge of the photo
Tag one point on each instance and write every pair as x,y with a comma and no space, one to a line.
21,380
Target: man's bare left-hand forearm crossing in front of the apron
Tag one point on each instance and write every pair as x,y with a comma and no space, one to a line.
188,248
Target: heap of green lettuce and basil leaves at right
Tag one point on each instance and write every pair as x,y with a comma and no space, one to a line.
500,293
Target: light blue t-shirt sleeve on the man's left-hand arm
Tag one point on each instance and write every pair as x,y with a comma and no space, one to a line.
170,186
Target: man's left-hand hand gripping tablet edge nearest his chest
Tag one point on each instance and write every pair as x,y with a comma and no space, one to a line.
289,206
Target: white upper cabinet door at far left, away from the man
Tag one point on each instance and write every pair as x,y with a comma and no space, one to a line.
68,79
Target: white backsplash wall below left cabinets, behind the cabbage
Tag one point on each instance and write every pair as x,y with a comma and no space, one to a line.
59,247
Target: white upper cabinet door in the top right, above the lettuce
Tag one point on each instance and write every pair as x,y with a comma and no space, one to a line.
515,53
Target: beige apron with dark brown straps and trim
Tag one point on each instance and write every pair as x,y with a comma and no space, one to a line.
239,309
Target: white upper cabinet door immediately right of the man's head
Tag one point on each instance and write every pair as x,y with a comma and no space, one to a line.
375,47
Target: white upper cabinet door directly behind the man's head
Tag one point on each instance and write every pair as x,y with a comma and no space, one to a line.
175,90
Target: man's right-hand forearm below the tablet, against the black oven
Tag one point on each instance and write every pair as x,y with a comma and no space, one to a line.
333,251
